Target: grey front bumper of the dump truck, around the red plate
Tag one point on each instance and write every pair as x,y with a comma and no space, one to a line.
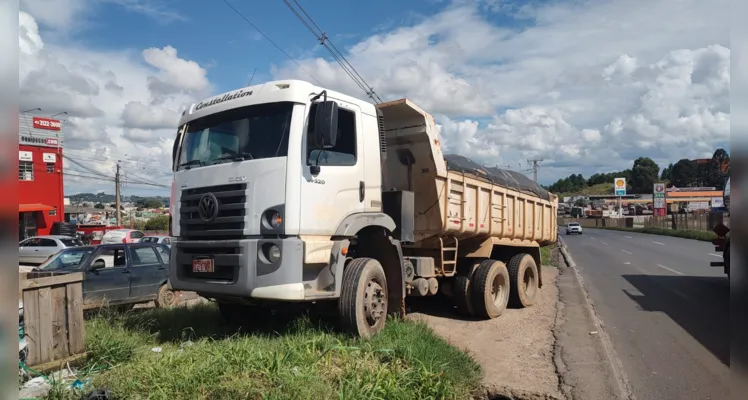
242,268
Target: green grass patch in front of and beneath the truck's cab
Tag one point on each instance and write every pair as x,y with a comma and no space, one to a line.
299,358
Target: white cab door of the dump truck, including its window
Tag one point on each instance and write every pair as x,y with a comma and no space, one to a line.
338,189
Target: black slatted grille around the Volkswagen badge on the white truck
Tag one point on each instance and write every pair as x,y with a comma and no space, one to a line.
228,224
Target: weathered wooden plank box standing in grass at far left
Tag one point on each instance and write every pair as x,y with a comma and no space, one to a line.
52,318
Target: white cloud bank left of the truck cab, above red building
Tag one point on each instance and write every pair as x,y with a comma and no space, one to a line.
121,105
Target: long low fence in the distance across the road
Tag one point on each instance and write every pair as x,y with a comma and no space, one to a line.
702,222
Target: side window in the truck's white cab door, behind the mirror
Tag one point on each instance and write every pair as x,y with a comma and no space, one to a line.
344,152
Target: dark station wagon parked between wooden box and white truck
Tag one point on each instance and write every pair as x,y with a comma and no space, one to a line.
118,273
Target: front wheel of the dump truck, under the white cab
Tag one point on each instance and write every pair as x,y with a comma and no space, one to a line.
363,298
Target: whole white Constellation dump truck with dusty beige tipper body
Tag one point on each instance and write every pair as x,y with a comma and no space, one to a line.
286,191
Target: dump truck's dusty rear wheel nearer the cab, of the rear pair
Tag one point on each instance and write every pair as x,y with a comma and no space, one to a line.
490,289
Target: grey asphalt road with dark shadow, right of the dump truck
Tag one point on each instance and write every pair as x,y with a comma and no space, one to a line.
665,309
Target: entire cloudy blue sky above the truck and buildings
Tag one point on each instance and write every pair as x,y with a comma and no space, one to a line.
568,81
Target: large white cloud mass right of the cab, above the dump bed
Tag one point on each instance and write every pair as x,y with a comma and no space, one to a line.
586,85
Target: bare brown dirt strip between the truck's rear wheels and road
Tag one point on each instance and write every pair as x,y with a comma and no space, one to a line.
516,350
